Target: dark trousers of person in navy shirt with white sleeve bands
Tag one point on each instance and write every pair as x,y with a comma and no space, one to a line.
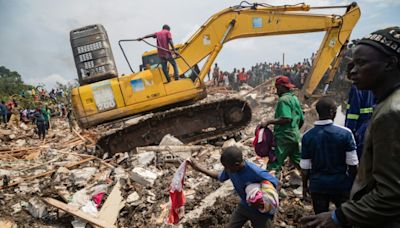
321,201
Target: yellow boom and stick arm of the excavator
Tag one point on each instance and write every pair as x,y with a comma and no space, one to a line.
263,20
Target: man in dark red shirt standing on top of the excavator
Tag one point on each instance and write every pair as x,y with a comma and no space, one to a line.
164,38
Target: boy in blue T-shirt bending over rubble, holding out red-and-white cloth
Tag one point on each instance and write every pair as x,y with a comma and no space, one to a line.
241,173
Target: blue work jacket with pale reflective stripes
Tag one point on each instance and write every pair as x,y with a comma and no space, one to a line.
359,110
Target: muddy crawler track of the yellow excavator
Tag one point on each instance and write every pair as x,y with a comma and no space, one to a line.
190,124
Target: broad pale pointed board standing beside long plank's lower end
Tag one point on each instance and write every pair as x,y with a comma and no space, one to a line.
110,210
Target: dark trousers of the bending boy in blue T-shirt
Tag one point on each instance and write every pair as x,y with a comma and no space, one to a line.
241,215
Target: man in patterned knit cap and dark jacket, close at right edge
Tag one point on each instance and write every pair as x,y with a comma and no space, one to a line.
375,195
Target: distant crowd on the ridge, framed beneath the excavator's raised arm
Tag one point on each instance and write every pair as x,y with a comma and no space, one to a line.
261,72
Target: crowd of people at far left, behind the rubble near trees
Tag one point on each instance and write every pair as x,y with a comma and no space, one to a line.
45,105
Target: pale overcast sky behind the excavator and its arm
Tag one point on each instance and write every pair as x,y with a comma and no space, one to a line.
34,36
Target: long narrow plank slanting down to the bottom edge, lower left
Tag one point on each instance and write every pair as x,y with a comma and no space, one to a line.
78,213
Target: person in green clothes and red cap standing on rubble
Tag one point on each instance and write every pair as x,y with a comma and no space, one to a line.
287,123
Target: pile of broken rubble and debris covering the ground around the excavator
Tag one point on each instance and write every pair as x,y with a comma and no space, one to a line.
60,183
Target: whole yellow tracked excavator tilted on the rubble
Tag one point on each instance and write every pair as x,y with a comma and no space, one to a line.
105,97
